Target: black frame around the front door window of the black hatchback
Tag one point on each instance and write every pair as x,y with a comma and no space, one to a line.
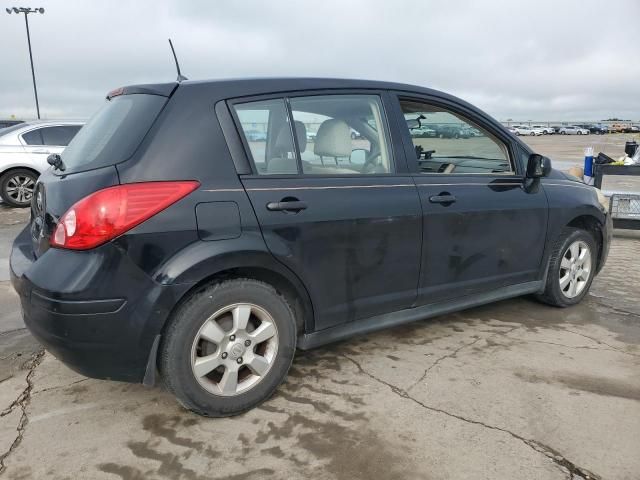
466,113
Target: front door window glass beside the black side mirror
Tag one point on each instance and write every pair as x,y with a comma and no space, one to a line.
445,142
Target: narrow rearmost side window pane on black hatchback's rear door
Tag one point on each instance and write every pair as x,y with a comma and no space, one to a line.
267,131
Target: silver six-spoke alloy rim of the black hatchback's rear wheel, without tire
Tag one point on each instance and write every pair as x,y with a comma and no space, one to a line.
234,349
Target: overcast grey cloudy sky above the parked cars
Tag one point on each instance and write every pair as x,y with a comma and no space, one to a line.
541,60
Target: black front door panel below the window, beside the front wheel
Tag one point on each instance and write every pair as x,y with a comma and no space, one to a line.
493,235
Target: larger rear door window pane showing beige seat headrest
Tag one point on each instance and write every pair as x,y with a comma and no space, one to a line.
341,134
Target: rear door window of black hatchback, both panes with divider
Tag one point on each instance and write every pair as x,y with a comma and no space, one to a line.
334,135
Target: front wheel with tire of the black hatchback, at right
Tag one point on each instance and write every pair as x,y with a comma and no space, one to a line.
572,266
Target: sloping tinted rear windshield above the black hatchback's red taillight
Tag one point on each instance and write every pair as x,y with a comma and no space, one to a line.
112,135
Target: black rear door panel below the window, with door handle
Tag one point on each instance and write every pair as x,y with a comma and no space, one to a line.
354,242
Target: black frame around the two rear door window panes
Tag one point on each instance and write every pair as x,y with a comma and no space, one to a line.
396,153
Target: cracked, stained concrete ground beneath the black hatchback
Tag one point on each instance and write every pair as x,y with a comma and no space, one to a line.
510,390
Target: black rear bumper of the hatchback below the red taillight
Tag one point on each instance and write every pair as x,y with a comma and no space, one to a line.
95,311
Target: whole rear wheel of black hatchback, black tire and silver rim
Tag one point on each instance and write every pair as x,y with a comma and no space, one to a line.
228,347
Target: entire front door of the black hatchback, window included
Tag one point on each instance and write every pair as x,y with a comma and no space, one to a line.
482,230
